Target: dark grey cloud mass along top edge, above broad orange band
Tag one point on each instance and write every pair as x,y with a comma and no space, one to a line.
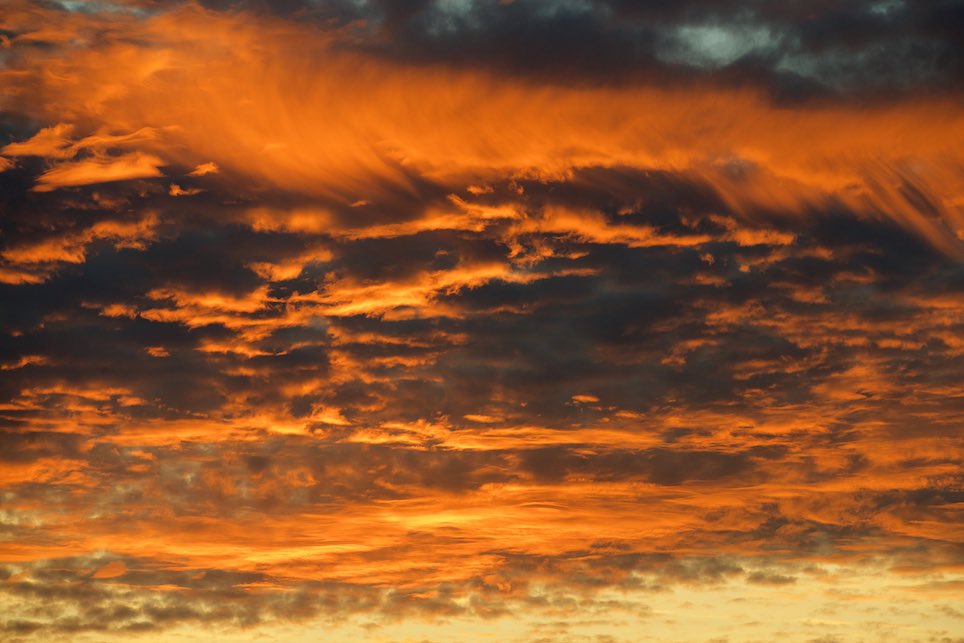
795,50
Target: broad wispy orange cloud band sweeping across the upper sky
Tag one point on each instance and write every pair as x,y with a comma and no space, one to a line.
217,86
